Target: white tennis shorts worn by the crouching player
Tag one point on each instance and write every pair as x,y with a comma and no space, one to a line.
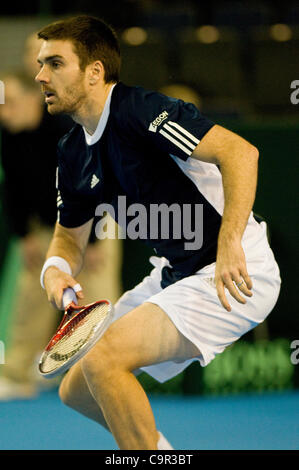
194,307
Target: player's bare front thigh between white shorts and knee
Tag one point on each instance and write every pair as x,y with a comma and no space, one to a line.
142,337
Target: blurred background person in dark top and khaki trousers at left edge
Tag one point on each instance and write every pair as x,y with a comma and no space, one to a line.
29,204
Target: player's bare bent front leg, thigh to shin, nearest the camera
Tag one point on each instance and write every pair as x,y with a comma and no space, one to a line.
144,336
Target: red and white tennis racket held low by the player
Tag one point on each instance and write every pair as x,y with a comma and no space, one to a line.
79,330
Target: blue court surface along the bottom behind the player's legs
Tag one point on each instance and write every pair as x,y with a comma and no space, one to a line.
241,422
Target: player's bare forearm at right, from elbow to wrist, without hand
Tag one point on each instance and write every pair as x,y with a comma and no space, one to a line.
239,176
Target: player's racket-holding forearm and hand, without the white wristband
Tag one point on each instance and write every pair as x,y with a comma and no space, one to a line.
68,244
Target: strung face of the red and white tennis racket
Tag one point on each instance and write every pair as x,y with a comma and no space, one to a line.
80,329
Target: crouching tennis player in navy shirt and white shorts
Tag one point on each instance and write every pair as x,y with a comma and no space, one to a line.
152,150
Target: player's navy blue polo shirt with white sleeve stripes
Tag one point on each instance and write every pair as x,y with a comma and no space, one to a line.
135,159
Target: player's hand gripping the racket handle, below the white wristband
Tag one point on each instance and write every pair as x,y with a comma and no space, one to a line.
56,281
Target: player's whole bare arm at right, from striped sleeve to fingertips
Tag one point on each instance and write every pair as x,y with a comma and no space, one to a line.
238,162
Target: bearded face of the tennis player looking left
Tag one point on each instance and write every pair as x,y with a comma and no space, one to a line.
62,81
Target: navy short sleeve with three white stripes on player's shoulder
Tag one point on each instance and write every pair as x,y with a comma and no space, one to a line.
173,125
